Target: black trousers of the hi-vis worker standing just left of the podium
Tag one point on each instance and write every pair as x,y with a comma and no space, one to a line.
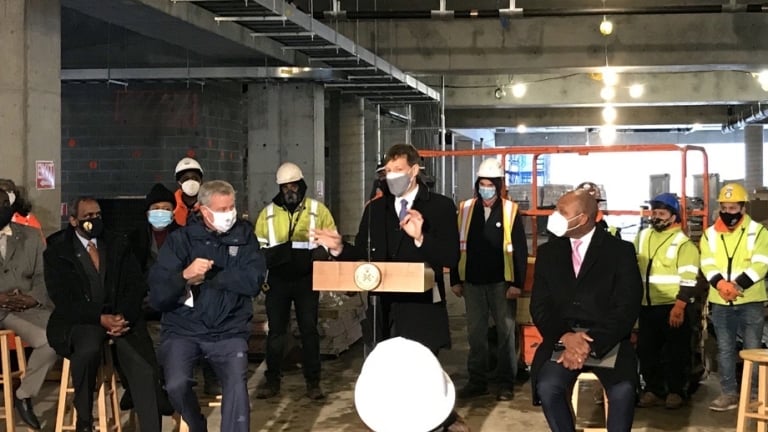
278,304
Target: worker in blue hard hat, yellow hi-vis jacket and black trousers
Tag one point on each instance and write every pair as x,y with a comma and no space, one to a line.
669,263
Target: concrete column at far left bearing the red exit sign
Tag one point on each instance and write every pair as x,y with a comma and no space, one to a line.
30,100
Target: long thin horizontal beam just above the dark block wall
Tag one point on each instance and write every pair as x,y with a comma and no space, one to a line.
244,73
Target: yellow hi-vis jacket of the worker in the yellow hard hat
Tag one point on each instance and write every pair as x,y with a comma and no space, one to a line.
748,247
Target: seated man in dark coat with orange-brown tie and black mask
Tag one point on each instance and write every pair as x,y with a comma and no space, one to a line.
97,288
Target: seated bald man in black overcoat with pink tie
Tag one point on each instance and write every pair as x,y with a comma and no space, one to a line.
586,298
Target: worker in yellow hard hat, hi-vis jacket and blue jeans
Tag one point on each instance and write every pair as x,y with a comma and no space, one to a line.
734,259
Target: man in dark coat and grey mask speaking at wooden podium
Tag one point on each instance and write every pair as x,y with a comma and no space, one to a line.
408,224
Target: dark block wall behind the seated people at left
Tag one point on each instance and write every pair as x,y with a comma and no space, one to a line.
119,142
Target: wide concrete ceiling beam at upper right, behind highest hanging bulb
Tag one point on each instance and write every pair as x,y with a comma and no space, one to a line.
647,43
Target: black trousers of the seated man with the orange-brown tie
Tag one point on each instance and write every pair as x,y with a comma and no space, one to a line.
87,342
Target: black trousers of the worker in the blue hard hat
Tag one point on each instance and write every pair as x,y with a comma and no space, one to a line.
664,351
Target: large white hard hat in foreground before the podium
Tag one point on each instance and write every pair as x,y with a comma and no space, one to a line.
403,388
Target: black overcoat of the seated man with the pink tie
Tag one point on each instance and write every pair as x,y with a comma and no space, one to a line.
604,298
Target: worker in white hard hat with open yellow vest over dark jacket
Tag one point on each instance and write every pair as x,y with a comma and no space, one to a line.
490,277
